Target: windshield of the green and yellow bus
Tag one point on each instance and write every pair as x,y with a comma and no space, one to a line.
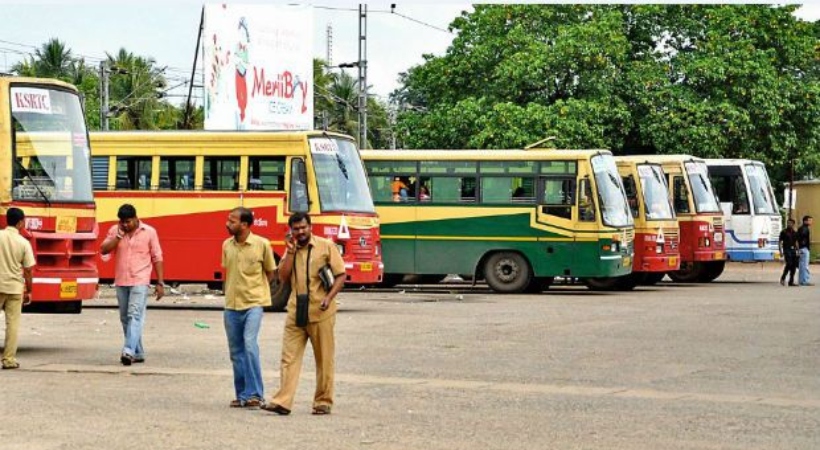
614,208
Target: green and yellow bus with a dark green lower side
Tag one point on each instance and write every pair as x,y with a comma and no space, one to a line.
516,218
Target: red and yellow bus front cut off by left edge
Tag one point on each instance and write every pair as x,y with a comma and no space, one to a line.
44,150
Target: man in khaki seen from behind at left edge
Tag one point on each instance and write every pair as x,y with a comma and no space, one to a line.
16,261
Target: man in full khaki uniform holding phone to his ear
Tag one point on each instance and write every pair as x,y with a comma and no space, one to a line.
300,265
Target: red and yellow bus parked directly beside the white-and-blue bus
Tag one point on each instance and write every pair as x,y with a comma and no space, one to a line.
700,220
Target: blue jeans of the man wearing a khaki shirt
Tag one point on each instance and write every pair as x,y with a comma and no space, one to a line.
242,329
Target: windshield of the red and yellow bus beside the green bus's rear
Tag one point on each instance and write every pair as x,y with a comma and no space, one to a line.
340,176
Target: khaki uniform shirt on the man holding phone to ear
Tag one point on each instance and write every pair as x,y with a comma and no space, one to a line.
323,252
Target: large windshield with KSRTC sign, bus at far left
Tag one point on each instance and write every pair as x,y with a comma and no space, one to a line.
51,153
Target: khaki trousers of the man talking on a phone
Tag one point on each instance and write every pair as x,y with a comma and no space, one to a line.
293,350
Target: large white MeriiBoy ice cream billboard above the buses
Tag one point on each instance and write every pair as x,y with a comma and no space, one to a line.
258,67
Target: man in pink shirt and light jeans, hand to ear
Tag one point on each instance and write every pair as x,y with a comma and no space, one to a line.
136,248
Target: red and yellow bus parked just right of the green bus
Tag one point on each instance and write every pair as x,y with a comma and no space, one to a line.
656,227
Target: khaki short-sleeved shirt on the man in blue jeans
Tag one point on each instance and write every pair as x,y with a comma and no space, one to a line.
246,283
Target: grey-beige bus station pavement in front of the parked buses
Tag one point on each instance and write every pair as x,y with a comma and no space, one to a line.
727,365
